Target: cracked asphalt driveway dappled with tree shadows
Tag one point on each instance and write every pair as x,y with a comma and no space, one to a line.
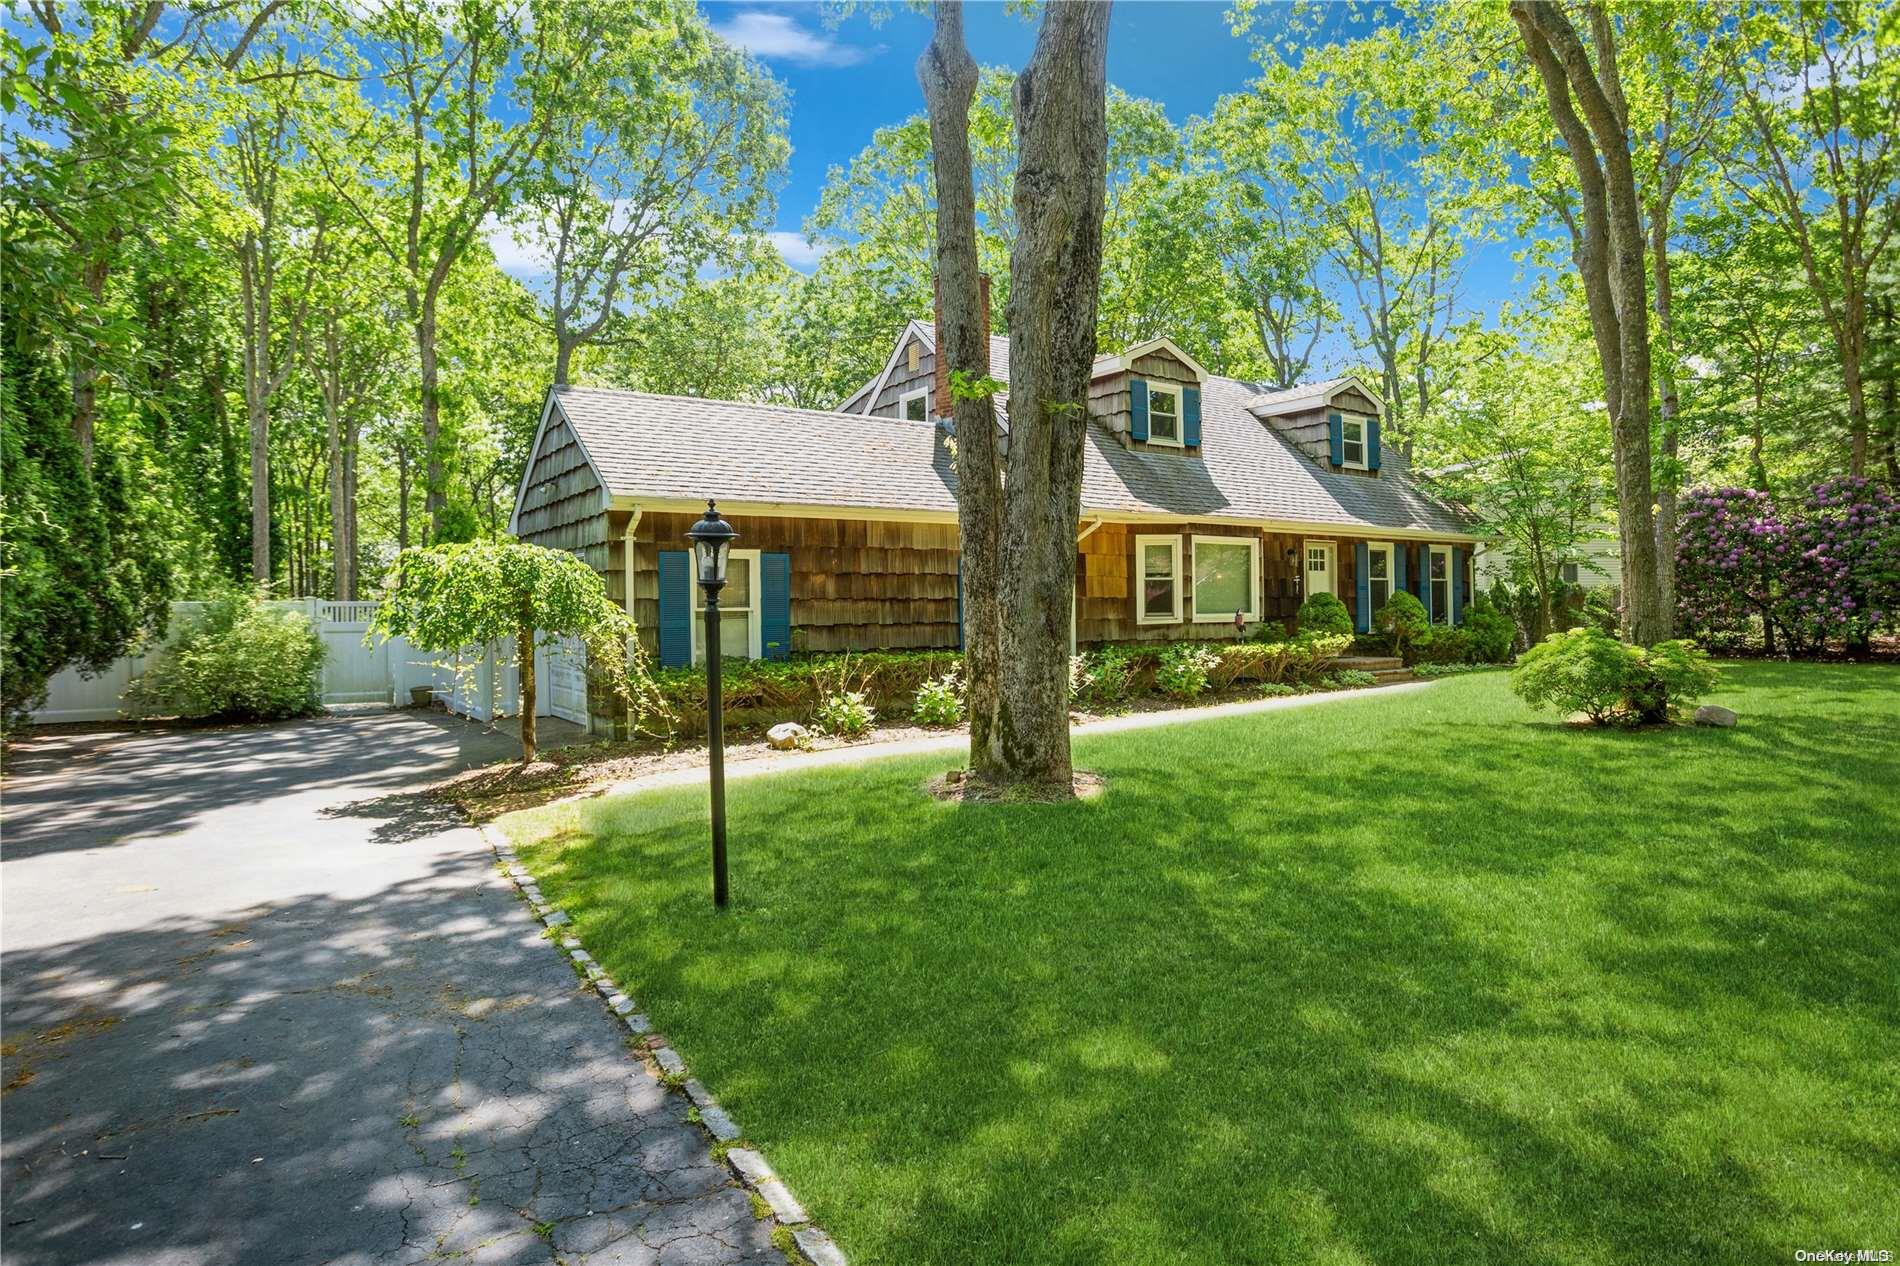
261,1003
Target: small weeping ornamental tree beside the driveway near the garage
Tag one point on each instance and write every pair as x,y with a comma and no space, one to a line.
447,598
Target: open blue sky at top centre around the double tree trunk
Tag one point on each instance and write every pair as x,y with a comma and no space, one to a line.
858,77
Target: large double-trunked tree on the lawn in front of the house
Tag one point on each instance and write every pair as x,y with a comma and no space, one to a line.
1019,514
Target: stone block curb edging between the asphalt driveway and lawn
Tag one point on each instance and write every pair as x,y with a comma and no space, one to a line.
748,1164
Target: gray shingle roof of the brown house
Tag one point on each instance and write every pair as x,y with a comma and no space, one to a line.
687,450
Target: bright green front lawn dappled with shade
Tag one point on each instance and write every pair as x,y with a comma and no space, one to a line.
1388,980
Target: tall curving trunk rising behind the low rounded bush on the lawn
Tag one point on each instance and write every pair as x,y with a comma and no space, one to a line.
1612,269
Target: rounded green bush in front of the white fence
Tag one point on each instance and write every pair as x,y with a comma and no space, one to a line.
242,661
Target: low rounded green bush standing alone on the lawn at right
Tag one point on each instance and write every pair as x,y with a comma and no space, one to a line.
1608,681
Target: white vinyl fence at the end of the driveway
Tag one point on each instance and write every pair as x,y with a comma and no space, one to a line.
478,681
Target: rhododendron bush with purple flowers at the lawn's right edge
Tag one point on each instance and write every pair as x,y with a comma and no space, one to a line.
1825,569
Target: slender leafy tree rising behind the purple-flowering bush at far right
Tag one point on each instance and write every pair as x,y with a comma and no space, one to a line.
1823,125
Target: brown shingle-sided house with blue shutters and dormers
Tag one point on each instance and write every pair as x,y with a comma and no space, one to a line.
1204,499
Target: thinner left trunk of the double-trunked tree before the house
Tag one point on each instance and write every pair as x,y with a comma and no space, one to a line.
949,79
